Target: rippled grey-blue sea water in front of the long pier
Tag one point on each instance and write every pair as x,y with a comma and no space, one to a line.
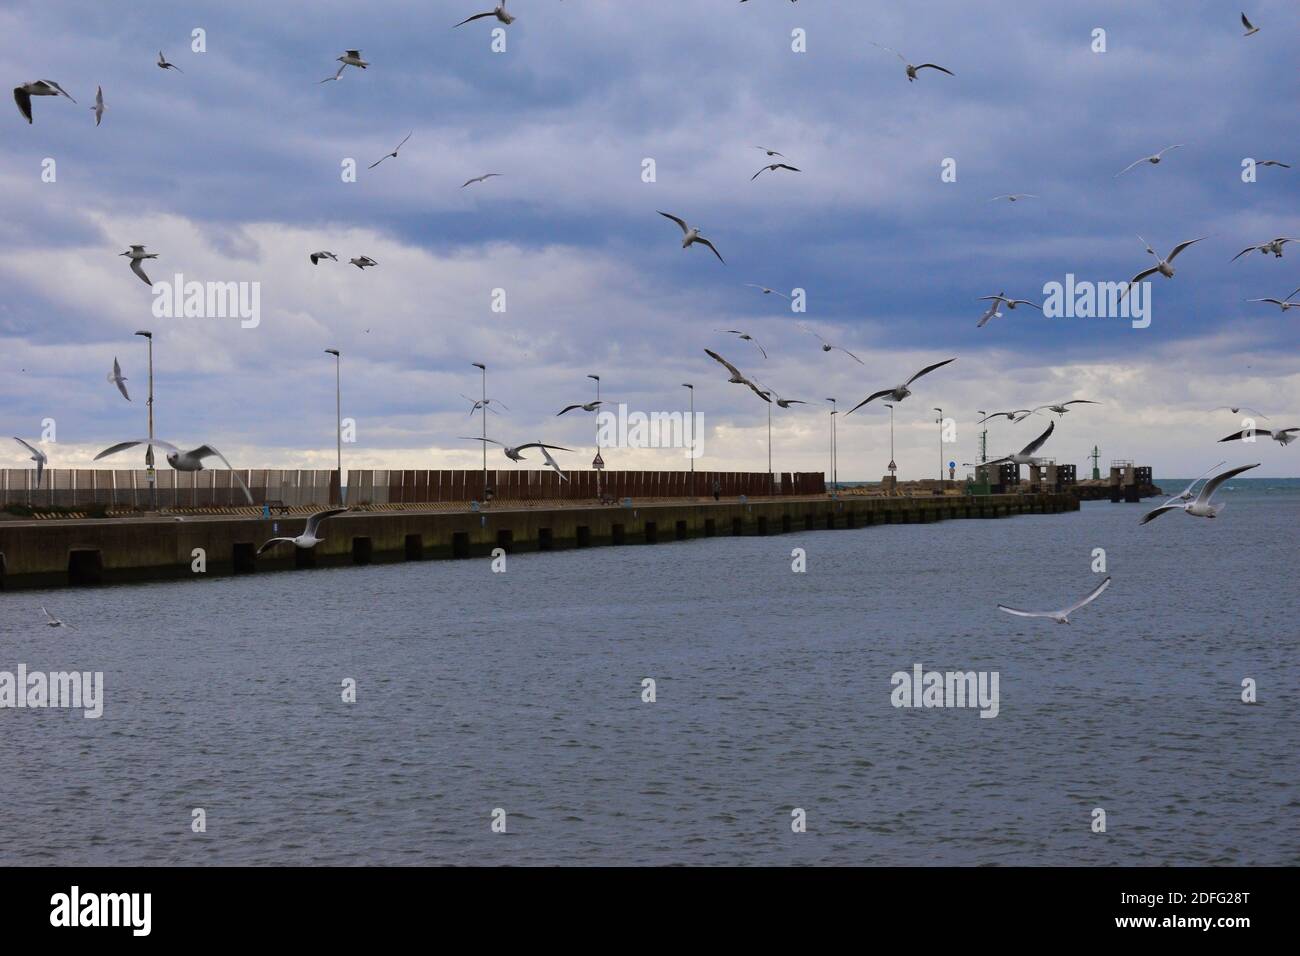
523,691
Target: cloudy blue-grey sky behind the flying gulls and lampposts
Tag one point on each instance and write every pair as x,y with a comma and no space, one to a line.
232,172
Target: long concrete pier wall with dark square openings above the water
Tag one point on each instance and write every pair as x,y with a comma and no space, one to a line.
85,552
